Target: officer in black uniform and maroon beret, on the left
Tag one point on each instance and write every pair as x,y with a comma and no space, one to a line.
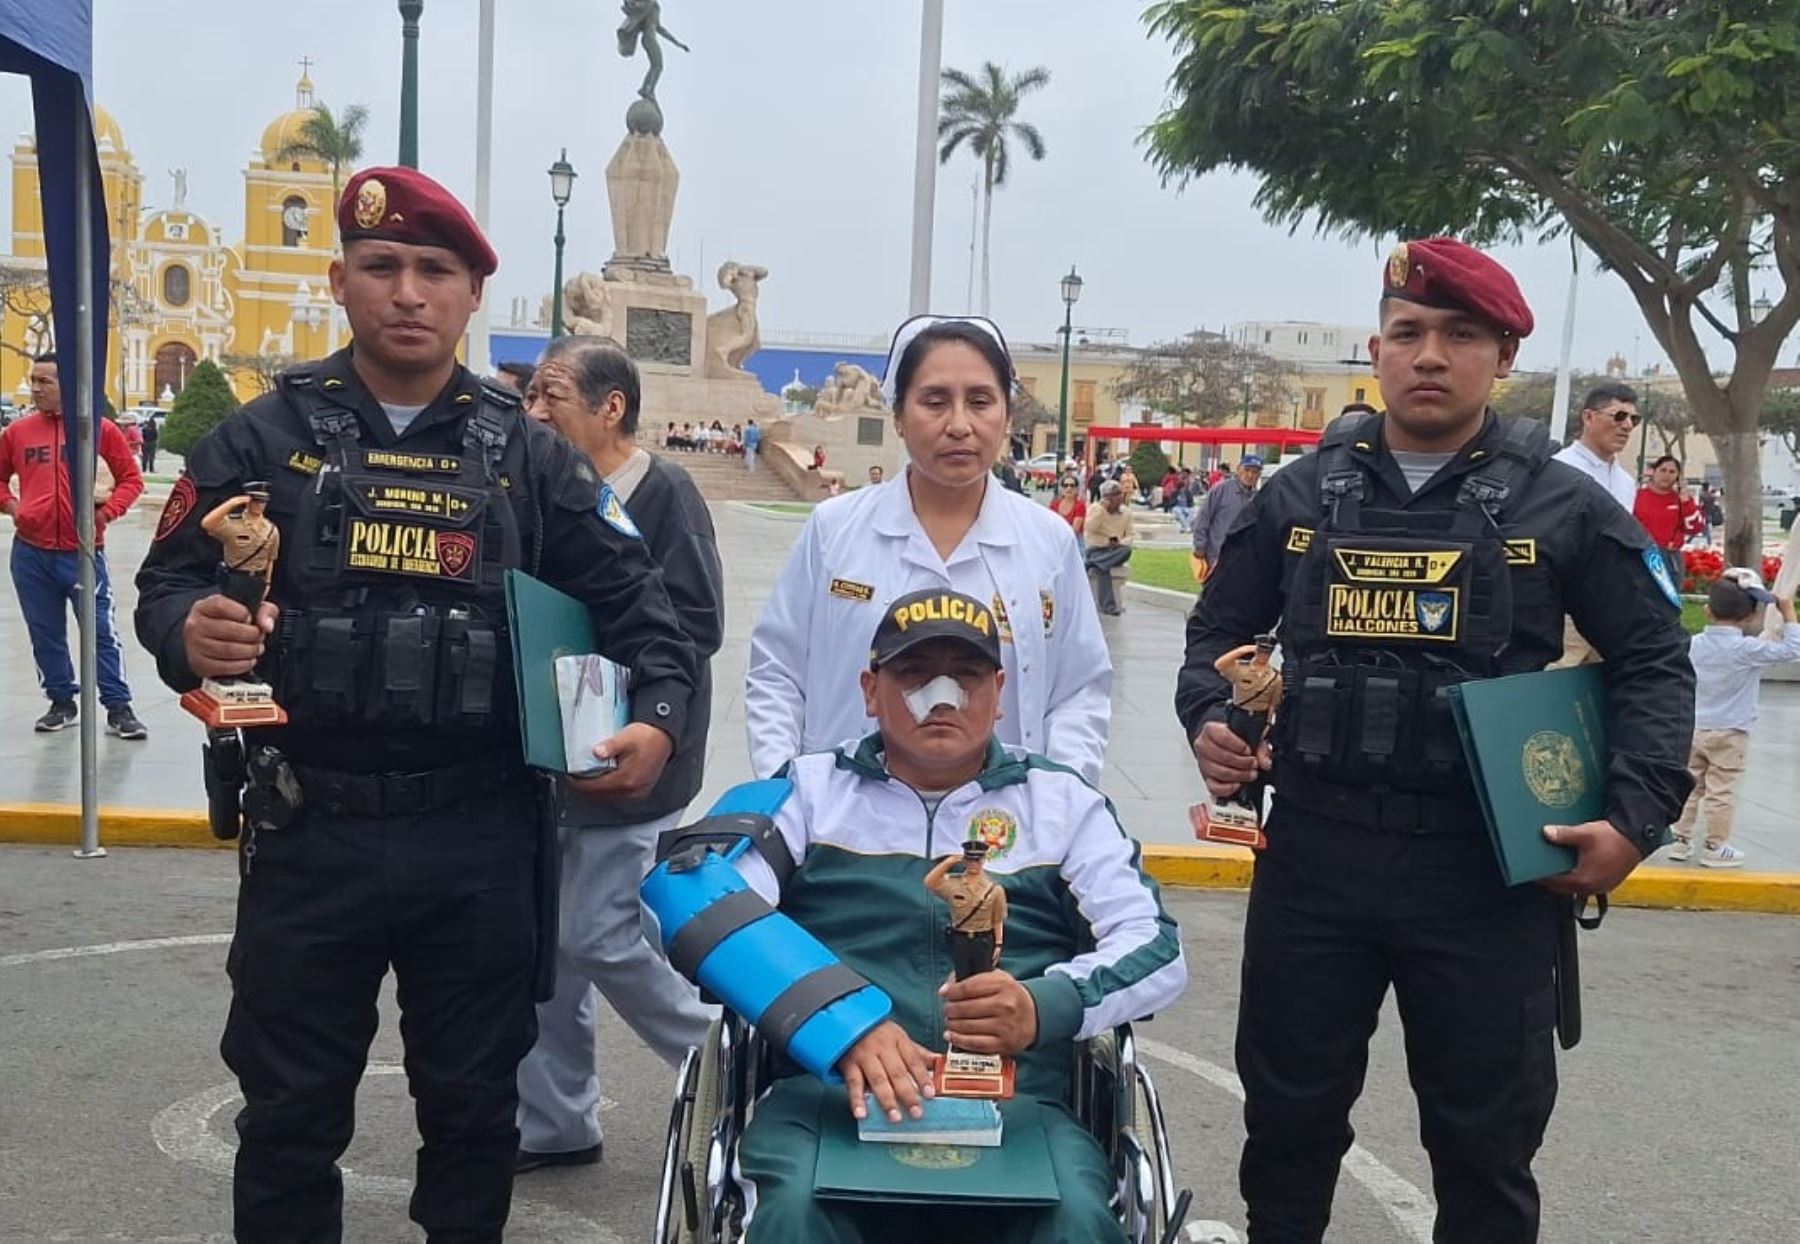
391,822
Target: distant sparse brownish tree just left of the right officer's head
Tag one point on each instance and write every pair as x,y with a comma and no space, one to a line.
1209,381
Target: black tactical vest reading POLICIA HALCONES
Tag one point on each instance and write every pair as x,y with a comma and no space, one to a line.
1389,609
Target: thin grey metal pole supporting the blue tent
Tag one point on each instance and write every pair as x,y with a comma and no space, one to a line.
84,489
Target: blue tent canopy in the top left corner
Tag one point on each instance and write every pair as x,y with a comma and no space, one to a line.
53,44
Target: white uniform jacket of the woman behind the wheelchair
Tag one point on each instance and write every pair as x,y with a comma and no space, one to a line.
861,552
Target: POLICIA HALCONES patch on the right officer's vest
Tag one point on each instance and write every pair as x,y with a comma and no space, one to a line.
1394,595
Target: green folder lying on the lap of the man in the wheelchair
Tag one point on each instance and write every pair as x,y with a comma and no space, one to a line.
1018,1173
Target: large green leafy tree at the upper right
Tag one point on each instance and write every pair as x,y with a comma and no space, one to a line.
1666,134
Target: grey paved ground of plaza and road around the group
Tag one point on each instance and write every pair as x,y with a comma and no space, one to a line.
1678,1117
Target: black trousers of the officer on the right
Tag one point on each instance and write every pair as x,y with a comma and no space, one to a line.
1338,914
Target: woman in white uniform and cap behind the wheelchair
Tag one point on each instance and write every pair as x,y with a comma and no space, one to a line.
942,523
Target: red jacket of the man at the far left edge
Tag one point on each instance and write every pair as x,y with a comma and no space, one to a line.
35,449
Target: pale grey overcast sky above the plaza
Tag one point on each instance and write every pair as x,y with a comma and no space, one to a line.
793,127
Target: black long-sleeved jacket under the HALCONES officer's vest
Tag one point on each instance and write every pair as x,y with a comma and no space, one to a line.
1587,559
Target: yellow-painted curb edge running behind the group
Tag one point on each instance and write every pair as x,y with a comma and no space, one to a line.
1182,867
